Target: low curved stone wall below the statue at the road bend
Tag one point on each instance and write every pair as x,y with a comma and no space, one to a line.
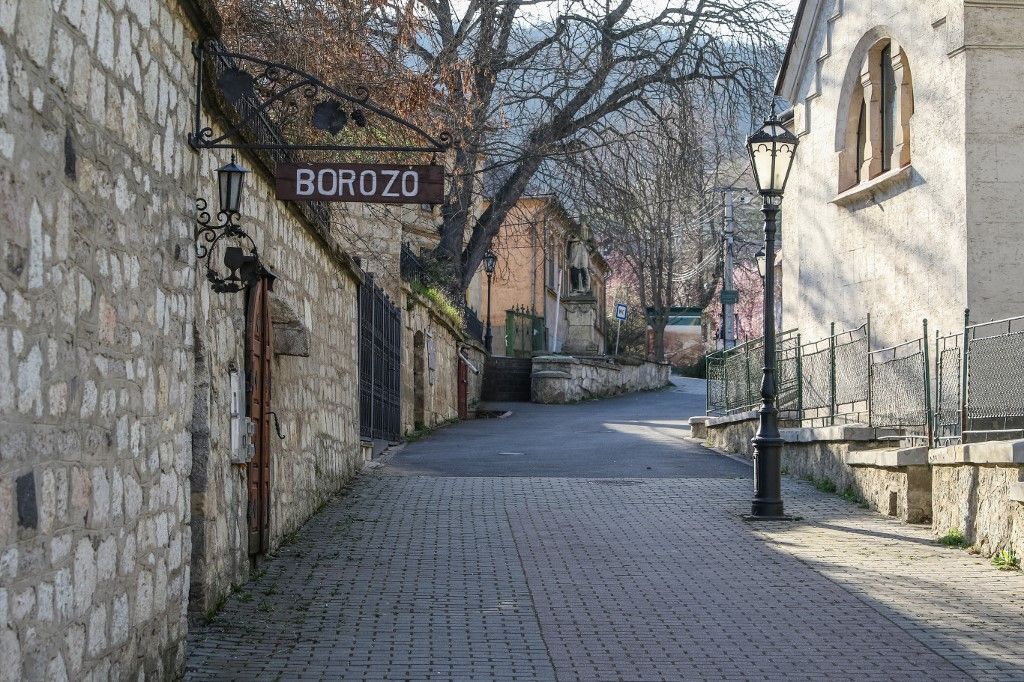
560,379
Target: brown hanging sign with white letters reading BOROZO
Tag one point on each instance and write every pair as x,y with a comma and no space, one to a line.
373,184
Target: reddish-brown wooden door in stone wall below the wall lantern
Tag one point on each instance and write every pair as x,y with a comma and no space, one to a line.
259,357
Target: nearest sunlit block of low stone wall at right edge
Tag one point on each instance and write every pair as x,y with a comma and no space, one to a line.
978,491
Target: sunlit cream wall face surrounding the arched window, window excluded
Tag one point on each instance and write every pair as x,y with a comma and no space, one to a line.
899,251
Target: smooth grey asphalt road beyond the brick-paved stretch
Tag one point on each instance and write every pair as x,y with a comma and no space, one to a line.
642,436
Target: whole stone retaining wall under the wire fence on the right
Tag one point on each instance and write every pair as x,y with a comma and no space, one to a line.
977,489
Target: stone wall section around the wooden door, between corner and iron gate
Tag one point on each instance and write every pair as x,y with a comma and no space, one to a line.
314,395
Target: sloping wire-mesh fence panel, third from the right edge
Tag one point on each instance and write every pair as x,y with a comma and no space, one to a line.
901,389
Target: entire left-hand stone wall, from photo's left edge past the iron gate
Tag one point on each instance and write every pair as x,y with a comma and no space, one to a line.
127,504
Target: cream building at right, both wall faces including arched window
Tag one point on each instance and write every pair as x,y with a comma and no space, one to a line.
902,202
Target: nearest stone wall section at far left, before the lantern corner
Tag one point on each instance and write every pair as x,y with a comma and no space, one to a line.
97,306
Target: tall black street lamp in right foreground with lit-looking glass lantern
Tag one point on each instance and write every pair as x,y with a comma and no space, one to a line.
772,149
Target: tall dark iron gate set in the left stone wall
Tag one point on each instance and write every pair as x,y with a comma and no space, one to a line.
380,364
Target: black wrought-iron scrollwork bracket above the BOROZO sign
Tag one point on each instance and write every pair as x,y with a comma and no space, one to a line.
272,98
